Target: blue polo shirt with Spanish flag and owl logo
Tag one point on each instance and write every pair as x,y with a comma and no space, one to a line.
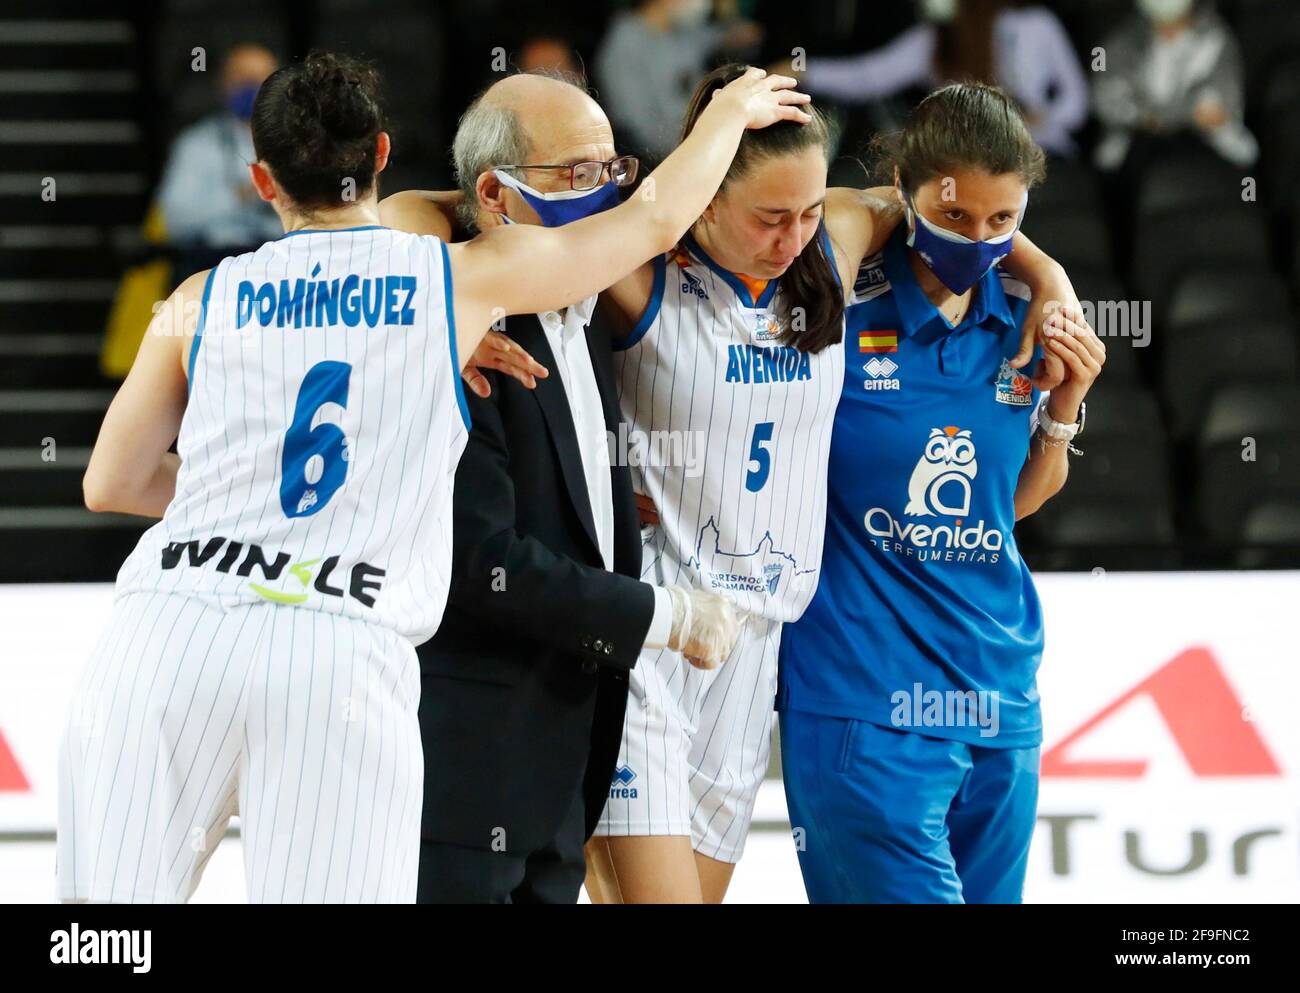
926,618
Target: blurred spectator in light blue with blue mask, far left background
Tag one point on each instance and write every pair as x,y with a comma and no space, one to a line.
210,206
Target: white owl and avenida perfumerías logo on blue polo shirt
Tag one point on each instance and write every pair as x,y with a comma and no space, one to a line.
941,487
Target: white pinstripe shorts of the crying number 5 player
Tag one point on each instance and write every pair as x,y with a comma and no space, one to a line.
696,745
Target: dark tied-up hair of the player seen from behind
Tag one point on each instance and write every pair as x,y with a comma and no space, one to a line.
315,124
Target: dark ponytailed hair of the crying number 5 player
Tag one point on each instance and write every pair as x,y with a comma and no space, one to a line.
812,301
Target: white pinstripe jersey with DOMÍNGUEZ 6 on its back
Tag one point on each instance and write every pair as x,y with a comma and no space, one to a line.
322,435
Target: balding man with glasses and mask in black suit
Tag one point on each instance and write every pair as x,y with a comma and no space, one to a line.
526,683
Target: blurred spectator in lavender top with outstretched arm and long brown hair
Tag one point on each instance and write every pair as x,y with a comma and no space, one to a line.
1024,51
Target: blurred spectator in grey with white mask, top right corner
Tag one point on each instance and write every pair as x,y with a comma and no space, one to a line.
1173,68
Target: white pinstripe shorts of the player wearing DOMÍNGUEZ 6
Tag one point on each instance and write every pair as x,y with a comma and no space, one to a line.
300,722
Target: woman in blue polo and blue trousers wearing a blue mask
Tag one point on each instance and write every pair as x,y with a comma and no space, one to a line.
911,722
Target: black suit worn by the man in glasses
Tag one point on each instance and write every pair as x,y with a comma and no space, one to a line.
526,683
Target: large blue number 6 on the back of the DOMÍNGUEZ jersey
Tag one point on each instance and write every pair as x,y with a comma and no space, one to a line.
315,461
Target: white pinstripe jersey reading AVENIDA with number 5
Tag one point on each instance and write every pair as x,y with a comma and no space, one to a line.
730,432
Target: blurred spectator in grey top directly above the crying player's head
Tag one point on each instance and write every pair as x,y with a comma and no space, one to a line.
651,60
